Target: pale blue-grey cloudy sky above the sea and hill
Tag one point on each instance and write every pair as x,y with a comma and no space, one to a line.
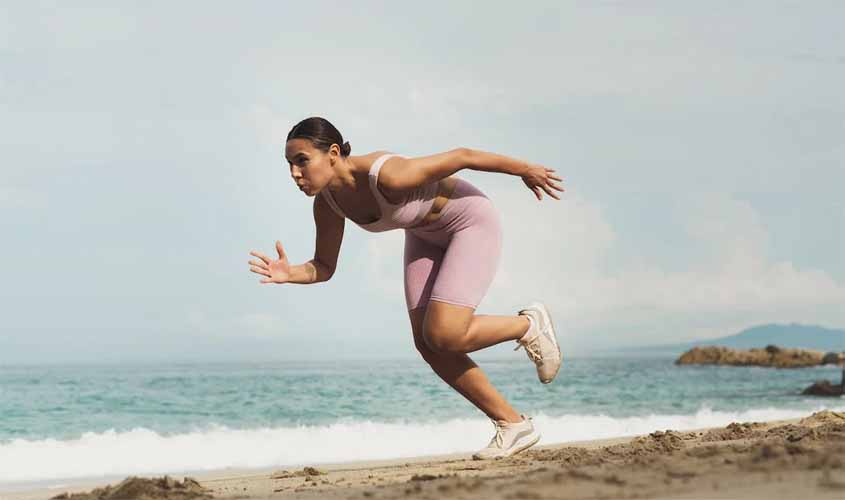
141,159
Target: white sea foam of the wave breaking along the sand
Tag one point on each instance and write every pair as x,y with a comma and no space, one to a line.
142,451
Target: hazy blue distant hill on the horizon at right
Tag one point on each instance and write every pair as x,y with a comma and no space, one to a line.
791,335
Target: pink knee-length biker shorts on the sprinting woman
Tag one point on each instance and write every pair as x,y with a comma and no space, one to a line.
454,258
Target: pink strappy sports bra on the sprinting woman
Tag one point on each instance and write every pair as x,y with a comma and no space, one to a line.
414,206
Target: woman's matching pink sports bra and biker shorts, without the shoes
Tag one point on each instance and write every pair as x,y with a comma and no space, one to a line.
452,259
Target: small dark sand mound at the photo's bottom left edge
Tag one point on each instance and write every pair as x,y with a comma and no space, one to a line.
163,488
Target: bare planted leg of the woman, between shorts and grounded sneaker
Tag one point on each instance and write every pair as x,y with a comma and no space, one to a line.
462,374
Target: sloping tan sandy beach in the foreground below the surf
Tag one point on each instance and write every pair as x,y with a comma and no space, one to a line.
802,458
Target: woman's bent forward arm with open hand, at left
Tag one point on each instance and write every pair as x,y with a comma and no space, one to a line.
321,267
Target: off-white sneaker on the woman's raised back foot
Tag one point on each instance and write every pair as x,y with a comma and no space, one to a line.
540,342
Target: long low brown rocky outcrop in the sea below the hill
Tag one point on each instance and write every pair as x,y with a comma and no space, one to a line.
772,356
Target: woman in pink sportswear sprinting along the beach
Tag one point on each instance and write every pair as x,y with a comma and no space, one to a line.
452,247
